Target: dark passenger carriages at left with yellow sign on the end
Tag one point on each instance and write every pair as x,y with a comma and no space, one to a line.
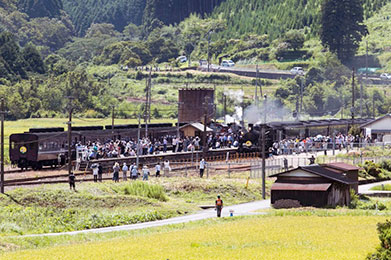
49,146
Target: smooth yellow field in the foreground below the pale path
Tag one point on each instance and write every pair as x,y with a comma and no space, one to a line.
268,237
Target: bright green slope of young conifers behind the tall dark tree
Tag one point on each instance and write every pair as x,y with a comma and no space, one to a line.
274,17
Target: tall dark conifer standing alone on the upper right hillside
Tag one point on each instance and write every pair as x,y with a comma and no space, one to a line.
342,27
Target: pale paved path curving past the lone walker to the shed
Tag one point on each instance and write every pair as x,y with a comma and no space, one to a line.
239,210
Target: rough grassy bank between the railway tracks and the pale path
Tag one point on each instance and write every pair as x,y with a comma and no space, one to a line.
54,208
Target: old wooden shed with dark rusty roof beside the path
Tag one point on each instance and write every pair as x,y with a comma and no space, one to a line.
316,185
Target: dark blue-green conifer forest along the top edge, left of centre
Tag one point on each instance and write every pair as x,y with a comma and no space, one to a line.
122,12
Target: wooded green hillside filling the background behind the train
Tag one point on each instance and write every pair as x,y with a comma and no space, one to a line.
51,49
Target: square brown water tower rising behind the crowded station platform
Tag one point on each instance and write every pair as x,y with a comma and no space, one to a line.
192,104
